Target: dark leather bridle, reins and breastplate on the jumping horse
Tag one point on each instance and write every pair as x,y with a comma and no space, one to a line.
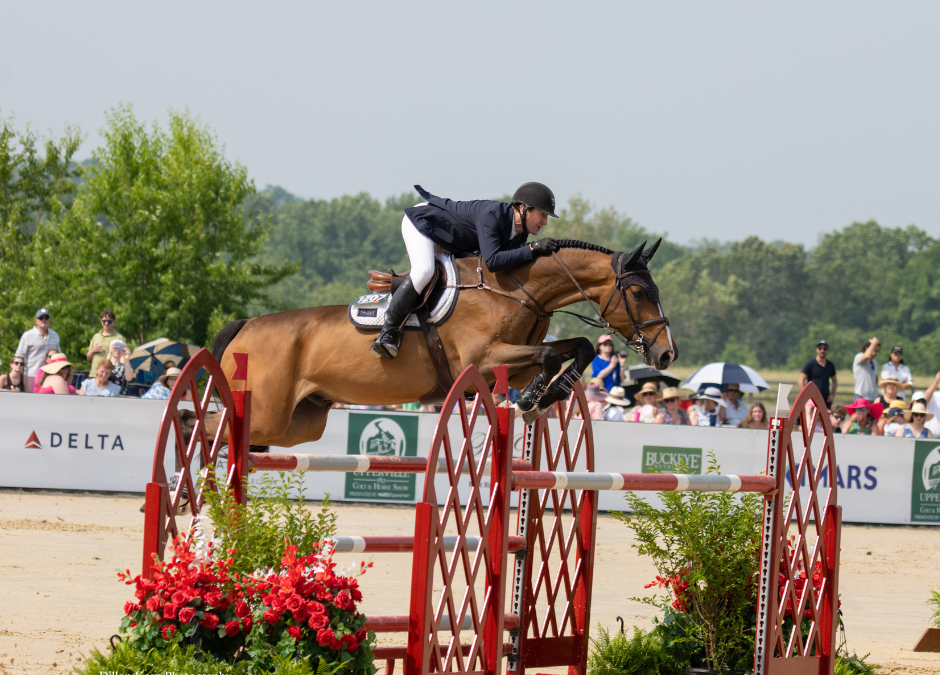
635,341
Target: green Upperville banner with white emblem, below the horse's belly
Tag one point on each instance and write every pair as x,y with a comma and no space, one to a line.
376,434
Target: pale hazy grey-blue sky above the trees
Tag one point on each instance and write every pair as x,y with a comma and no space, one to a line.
717,119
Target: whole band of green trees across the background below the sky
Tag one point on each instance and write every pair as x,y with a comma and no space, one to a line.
160,227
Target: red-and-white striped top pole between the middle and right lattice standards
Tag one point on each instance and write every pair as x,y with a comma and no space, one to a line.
658,482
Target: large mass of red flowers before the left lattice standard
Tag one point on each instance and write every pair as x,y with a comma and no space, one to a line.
306,609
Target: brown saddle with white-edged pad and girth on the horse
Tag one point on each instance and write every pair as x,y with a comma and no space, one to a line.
436,305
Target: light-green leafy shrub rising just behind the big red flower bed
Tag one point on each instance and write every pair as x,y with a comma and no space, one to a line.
275,513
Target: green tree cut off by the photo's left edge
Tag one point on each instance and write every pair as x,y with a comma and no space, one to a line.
36,187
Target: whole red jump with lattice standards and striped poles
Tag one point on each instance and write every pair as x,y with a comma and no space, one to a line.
549,595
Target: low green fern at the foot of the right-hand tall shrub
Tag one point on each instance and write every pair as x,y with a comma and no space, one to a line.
642,654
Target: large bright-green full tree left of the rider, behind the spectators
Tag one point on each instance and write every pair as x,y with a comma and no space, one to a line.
176,249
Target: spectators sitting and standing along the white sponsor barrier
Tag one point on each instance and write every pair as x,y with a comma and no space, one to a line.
880,408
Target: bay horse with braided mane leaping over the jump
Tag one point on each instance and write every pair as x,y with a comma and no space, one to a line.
302,361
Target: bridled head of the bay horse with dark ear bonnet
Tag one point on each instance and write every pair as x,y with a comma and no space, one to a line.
639,318
